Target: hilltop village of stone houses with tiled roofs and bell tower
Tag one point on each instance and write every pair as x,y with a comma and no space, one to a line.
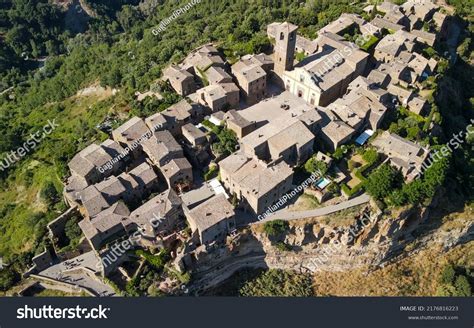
162,177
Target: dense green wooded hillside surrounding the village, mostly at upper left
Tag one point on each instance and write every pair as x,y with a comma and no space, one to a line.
45,61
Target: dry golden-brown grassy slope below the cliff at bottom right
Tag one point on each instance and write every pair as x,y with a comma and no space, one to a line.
417,275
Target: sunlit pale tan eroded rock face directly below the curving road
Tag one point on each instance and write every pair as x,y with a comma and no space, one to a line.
369,241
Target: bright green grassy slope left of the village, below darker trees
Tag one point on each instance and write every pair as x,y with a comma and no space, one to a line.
24,213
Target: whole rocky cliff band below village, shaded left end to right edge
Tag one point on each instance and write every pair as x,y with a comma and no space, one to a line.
372,241
